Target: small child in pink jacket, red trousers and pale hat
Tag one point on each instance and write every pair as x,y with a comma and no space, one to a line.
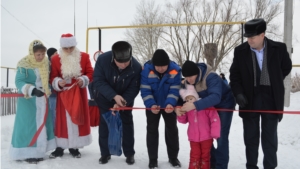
204,126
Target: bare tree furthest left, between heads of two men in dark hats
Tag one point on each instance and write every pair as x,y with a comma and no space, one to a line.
145,40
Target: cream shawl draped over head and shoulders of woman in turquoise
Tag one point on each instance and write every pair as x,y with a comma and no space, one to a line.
29,62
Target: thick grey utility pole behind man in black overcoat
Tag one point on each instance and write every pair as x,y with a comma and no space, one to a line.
287,39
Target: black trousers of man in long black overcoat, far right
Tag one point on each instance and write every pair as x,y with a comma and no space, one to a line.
269,140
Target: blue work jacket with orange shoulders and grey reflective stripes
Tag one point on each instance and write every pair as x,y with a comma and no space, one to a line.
160,91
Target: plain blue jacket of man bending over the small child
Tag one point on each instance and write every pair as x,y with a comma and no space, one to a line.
217,94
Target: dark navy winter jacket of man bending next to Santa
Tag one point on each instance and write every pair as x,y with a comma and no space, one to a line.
109,81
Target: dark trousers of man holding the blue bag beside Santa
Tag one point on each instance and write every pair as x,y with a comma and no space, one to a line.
127,138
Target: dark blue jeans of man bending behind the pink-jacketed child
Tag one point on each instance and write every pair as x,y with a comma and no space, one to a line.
220,155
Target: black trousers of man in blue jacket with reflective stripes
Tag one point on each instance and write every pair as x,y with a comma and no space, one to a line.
171,134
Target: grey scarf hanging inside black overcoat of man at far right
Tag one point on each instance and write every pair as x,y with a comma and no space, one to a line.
264,76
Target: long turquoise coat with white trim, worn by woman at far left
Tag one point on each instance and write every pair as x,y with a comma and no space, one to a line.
29,117
